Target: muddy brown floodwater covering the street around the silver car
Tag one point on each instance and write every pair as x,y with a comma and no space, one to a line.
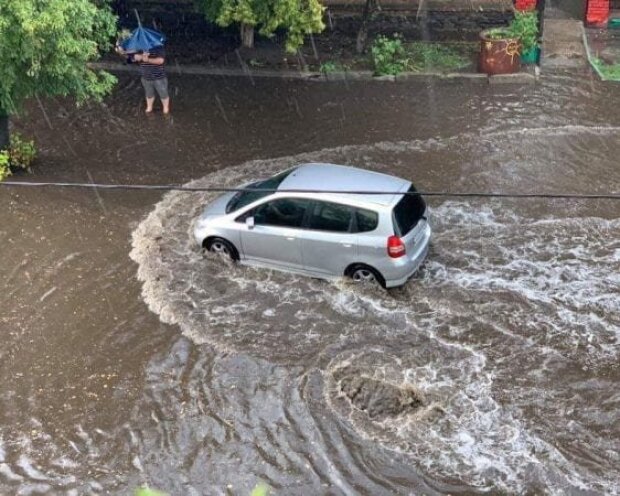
130,357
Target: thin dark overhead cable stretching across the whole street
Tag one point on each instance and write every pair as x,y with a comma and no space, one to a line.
221,189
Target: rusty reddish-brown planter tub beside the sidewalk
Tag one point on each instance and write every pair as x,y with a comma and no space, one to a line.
499,52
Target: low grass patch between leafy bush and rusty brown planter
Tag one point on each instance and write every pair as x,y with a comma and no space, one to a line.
437,57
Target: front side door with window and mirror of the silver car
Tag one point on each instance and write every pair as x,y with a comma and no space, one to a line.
274,238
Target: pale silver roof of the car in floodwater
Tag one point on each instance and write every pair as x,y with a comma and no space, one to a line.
332,177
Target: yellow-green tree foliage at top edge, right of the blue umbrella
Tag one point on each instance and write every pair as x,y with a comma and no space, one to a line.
298,17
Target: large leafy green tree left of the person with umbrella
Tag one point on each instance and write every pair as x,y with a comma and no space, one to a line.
45,48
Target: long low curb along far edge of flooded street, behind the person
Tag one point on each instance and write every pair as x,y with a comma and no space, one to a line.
517,78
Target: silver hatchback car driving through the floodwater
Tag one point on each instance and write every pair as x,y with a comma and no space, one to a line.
368,237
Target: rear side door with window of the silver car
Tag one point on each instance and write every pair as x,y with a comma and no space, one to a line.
328,245
